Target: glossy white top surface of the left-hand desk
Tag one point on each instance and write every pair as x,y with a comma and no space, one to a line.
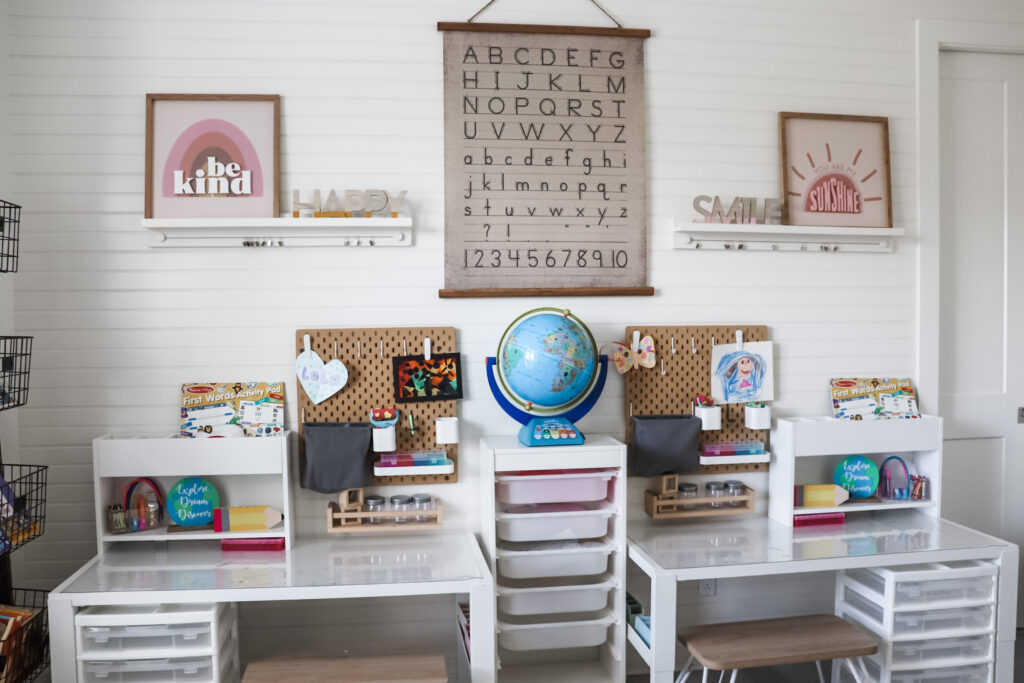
392,565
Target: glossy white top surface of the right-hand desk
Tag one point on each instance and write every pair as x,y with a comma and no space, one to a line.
738,547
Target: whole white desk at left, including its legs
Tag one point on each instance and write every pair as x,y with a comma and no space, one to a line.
396,565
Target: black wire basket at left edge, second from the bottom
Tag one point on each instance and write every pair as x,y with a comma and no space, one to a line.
23,506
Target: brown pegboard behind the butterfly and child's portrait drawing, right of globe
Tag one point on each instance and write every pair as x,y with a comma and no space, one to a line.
670,387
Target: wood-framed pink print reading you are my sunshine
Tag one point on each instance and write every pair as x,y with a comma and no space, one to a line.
835,170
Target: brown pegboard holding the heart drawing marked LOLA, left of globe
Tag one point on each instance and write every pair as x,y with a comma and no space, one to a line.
367,355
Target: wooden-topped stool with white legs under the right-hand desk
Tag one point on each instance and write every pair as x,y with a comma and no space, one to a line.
739,646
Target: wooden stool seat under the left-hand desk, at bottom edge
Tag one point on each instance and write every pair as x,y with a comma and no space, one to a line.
392,668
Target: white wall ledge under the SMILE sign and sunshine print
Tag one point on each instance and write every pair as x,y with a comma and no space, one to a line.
786,238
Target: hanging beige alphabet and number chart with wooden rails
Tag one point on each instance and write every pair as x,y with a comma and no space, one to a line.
545,158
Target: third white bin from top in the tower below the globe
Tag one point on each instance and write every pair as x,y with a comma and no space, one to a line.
553,559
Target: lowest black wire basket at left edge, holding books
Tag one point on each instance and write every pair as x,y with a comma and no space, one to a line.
25,653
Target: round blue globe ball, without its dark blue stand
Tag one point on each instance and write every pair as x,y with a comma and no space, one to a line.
547,361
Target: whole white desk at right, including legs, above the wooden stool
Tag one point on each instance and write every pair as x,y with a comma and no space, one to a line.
758,546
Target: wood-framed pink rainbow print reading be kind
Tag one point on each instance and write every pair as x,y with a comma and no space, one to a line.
212,156
